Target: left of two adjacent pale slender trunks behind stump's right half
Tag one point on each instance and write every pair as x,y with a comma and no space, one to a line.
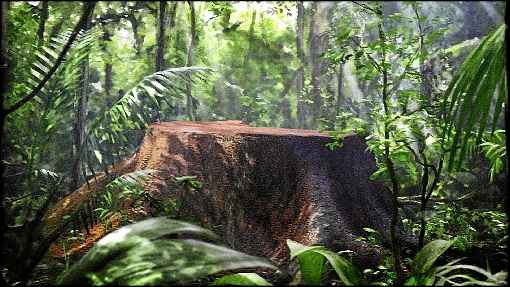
300,78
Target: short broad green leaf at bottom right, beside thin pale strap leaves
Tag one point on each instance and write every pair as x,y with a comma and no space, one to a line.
428,255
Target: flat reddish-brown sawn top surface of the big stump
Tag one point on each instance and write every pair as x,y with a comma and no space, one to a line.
231,127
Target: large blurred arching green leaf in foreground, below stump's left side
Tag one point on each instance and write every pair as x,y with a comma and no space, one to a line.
157,251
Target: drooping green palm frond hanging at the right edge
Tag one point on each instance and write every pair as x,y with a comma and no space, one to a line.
474,90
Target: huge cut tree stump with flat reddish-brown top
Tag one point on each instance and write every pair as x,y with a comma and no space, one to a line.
262,186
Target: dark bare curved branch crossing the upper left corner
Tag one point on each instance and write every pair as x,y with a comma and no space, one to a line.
86,12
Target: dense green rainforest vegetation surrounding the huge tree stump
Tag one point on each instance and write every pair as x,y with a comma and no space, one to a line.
423,83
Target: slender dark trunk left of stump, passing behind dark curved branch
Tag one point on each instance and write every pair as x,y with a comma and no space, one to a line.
81,117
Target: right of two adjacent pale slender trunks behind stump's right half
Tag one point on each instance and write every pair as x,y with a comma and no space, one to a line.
315,63
